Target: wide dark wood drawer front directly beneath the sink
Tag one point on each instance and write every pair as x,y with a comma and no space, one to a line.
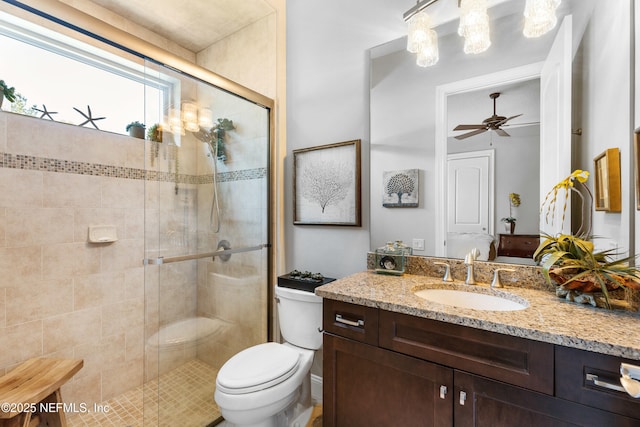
513,360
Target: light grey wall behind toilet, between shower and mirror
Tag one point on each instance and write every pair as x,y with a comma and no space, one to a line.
327,102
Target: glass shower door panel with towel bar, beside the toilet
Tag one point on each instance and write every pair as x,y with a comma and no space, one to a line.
206,241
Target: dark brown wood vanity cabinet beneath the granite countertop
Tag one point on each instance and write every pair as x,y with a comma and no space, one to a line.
388,369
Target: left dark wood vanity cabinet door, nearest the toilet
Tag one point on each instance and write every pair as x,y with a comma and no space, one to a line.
367,386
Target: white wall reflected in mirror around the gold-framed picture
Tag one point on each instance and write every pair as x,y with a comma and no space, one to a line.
606,123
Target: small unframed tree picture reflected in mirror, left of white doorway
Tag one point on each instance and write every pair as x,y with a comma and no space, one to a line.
401,188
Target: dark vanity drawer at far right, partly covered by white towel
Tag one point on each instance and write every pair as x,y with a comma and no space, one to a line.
586,377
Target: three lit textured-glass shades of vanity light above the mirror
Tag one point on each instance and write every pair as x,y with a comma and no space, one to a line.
422,39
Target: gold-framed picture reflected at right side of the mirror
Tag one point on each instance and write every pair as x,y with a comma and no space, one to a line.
607,181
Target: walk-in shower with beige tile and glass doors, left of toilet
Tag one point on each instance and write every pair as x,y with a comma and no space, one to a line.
156,311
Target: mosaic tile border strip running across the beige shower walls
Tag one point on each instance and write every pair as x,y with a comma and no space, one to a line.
20,161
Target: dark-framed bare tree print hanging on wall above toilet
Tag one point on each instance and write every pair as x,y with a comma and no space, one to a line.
327,185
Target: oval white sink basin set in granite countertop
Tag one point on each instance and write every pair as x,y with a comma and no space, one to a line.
473,300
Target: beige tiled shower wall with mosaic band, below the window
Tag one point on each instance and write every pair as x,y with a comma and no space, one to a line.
61,296
